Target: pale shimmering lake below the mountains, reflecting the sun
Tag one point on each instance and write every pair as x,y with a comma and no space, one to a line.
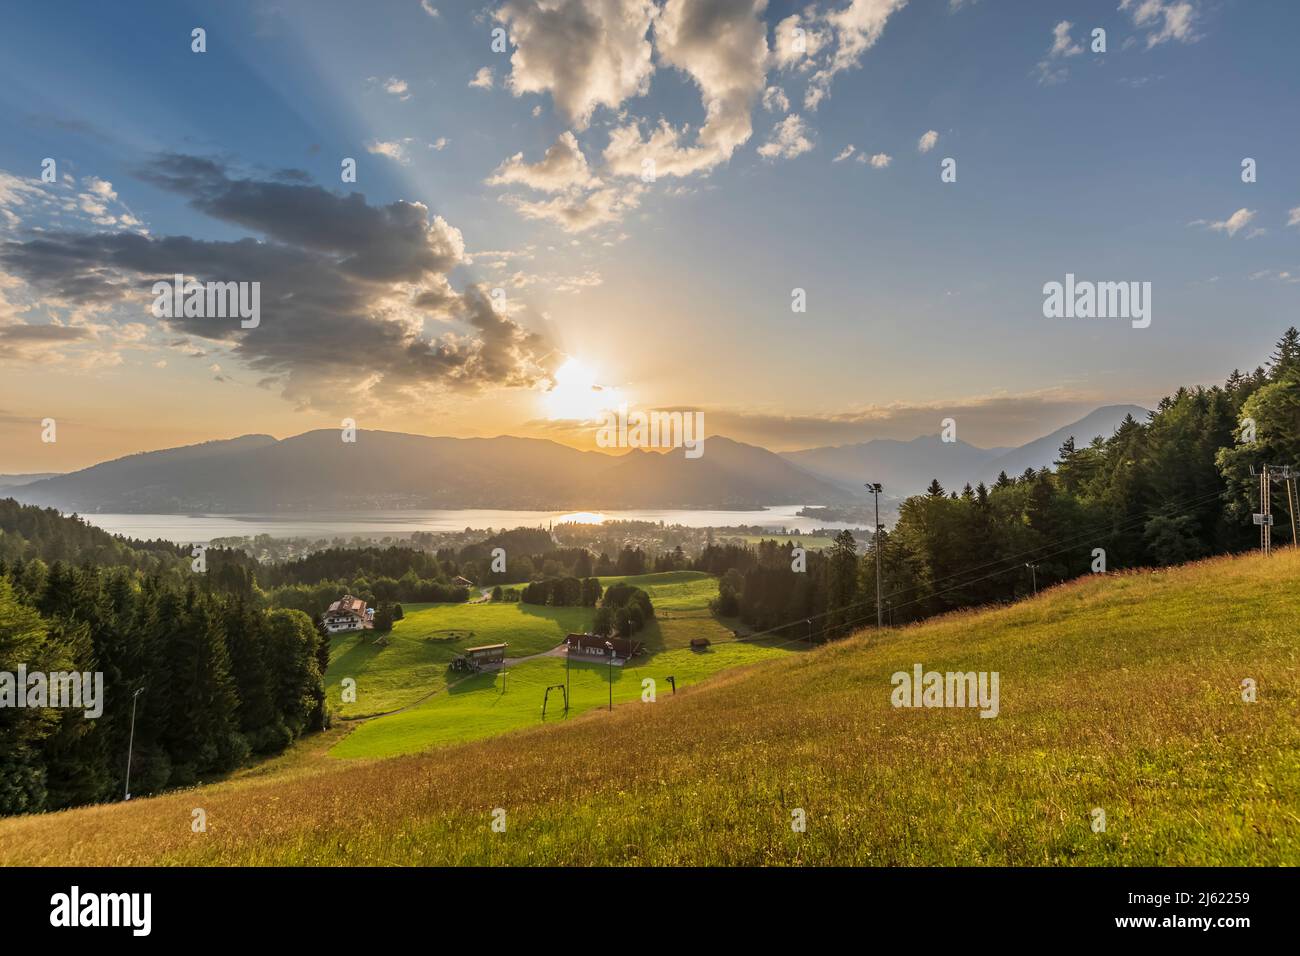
203,529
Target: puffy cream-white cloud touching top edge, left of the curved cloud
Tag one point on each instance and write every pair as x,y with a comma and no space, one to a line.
587,54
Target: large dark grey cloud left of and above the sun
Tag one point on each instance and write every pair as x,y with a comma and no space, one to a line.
345,288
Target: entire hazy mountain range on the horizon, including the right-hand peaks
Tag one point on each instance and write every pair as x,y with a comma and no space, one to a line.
318,471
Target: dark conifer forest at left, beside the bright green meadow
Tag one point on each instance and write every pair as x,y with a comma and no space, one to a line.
220,681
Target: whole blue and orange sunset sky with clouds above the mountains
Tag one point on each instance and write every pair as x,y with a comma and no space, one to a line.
565,206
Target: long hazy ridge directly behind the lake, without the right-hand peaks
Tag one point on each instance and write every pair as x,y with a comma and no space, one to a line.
391,470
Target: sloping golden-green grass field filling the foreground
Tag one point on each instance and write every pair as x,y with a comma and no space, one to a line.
1117,693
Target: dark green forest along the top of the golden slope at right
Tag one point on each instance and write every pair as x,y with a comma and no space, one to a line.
1162,492
